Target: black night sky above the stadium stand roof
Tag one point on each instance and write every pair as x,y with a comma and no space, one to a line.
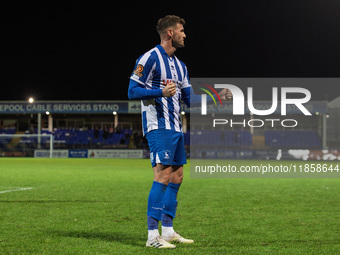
86,50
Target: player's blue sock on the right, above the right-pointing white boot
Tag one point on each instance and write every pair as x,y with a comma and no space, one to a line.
170,202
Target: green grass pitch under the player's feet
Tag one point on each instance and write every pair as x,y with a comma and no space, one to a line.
98,206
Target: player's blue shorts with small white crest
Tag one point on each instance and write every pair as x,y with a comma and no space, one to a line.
166,147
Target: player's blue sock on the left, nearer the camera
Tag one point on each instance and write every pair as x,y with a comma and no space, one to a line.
155,201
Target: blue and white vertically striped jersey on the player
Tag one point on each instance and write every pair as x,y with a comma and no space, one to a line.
154,70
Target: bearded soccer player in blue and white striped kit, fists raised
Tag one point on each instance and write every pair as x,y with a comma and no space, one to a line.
161,81
